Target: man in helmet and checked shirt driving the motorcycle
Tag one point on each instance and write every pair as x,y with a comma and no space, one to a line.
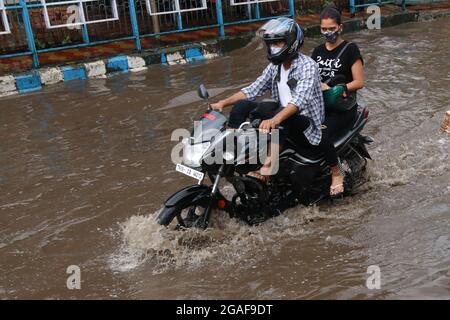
294,81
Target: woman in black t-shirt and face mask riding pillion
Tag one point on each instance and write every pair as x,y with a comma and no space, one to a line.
339,61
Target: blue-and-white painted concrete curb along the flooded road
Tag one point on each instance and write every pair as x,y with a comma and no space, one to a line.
188,53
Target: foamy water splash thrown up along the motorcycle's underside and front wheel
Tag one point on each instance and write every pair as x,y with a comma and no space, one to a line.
227,241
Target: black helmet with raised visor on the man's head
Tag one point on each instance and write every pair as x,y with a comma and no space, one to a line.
282,29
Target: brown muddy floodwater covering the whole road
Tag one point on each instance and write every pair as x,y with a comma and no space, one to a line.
85,166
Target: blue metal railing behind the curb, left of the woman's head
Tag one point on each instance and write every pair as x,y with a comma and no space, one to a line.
220,14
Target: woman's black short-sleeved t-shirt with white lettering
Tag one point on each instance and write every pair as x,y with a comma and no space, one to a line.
330,67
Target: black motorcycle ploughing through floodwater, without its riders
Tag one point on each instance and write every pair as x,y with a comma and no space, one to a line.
303,177
